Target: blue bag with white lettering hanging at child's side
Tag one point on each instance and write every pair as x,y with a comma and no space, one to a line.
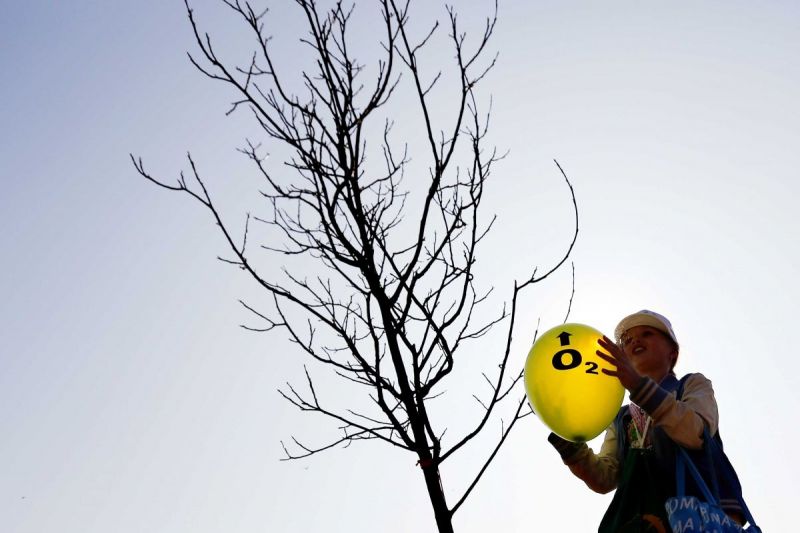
690,513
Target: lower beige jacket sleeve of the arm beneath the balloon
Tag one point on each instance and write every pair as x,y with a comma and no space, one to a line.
600,471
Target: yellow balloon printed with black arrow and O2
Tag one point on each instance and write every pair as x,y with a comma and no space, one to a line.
566,386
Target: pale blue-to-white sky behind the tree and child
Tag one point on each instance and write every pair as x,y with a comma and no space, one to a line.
130,399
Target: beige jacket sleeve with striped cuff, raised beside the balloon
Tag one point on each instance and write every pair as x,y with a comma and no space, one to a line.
682,420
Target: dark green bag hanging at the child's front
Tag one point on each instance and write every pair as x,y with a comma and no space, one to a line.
638,503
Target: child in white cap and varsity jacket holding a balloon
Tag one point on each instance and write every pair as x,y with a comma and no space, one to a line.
664,412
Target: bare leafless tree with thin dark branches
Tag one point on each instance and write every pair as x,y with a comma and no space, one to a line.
394,305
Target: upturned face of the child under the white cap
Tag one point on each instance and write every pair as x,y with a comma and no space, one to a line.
652,353
